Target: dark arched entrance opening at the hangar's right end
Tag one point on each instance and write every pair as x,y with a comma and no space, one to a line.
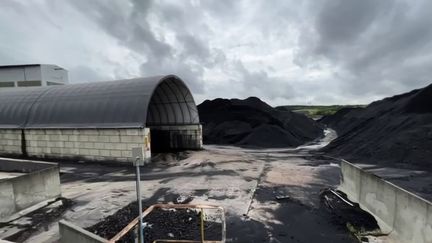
172,117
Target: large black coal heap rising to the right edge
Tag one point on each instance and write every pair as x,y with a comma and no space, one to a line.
394,131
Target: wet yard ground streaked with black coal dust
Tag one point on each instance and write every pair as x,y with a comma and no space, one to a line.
246,182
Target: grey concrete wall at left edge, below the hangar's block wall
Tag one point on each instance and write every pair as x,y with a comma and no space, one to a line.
40,182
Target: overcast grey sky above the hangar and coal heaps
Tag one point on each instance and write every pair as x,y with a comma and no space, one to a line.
283,51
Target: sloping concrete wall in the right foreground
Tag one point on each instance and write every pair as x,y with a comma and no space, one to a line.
404,215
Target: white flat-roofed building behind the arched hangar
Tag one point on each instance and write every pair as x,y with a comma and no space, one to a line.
29,75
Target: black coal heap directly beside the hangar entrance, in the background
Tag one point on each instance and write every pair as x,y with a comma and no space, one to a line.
252,122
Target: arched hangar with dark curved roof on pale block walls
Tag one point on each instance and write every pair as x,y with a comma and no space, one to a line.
99,121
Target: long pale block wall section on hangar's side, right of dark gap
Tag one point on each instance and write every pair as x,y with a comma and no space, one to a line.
88,144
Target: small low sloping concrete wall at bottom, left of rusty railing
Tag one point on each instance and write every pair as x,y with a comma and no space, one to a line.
70,233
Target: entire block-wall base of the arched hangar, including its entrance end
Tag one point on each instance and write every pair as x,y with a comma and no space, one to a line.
99,144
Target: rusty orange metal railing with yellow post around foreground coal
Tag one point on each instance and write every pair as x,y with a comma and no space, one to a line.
134,222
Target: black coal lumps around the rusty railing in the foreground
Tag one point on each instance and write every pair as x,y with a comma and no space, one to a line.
161,224
